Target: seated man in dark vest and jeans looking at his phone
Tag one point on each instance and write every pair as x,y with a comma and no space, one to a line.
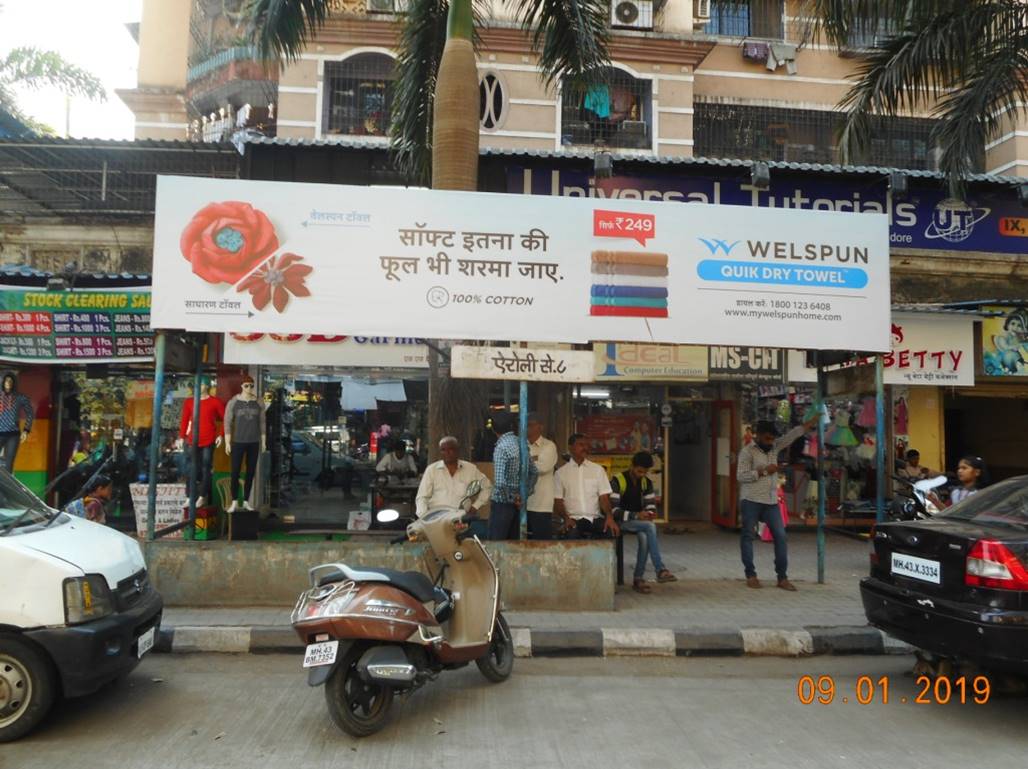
634,496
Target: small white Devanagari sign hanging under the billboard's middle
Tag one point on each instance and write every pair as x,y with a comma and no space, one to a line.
531,364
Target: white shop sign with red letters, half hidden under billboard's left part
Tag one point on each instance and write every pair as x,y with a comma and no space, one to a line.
322,350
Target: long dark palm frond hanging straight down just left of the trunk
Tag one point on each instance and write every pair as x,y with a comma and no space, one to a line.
422,41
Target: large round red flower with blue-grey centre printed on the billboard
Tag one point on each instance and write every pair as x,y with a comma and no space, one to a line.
226,241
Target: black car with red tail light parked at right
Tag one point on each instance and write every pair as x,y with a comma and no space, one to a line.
958,585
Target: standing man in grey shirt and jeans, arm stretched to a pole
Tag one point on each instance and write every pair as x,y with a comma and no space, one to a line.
758,474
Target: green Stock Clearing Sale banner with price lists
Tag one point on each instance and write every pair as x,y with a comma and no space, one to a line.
76,326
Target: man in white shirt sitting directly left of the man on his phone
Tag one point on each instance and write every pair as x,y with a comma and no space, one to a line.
582,494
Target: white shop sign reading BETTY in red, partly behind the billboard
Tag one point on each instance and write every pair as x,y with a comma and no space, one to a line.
934,350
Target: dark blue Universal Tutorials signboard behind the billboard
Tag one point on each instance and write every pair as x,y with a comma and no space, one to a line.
989,222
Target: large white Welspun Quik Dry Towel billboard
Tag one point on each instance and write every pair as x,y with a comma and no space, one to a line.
283,259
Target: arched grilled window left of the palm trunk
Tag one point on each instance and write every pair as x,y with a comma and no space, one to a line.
359,96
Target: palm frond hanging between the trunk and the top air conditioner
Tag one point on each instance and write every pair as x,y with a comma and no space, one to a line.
571,36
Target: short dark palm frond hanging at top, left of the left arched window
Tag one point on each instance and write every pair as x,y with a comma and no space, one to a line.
281,29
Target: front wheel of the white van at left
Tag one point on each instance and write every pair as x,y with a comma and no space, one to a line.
28,687
